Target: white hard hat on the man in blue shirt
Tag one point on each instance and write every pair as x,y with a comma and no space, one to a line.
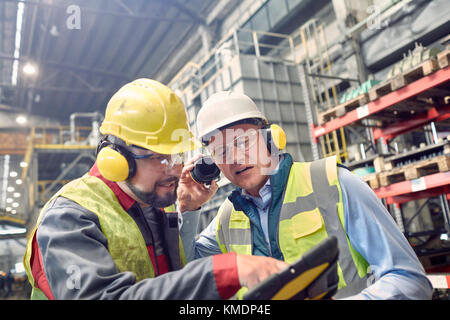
224,108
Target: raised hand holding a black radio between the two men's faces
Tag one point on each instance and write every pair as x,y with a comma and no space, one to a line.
192,194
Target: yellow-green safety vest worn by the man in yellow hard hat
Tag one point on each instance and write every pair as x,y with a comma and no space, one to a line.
125,241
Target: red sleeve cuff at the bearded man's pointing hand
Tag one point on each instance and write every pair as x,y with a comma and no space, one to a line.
226,274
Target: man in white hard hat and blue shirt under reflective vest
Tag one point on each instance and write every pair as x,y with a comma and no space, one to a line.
281,208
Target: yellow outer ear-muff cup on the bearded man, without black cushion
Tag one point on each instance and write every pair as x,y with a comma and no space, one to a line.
112,165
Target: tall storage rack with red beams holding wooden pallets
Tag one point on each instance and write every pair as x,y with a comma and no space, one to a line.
415,104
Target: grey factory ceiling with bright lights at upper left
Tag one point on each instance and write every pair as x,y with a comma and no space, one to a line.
83,51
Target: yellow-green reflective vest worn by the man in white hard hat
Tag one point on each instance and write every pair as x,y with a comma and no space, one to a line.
311,210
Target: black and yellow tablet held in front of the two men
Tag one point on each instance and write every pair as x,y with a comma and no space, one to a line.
313,276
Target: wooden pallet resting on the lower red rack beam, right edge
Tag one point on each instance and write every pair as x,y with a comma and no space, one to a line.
415,170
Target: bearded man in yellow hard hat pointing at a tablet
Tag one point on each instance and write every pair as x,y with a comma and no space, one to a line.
114,233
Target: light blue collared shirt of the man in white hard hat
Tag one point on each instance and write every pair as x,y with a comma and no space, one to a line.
371,230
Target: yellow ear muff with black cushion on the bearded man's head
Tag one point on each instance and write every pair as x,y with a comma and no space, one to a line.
115,162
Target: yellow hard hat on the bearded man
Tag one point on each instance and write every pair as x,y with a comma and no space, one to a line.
150,115
